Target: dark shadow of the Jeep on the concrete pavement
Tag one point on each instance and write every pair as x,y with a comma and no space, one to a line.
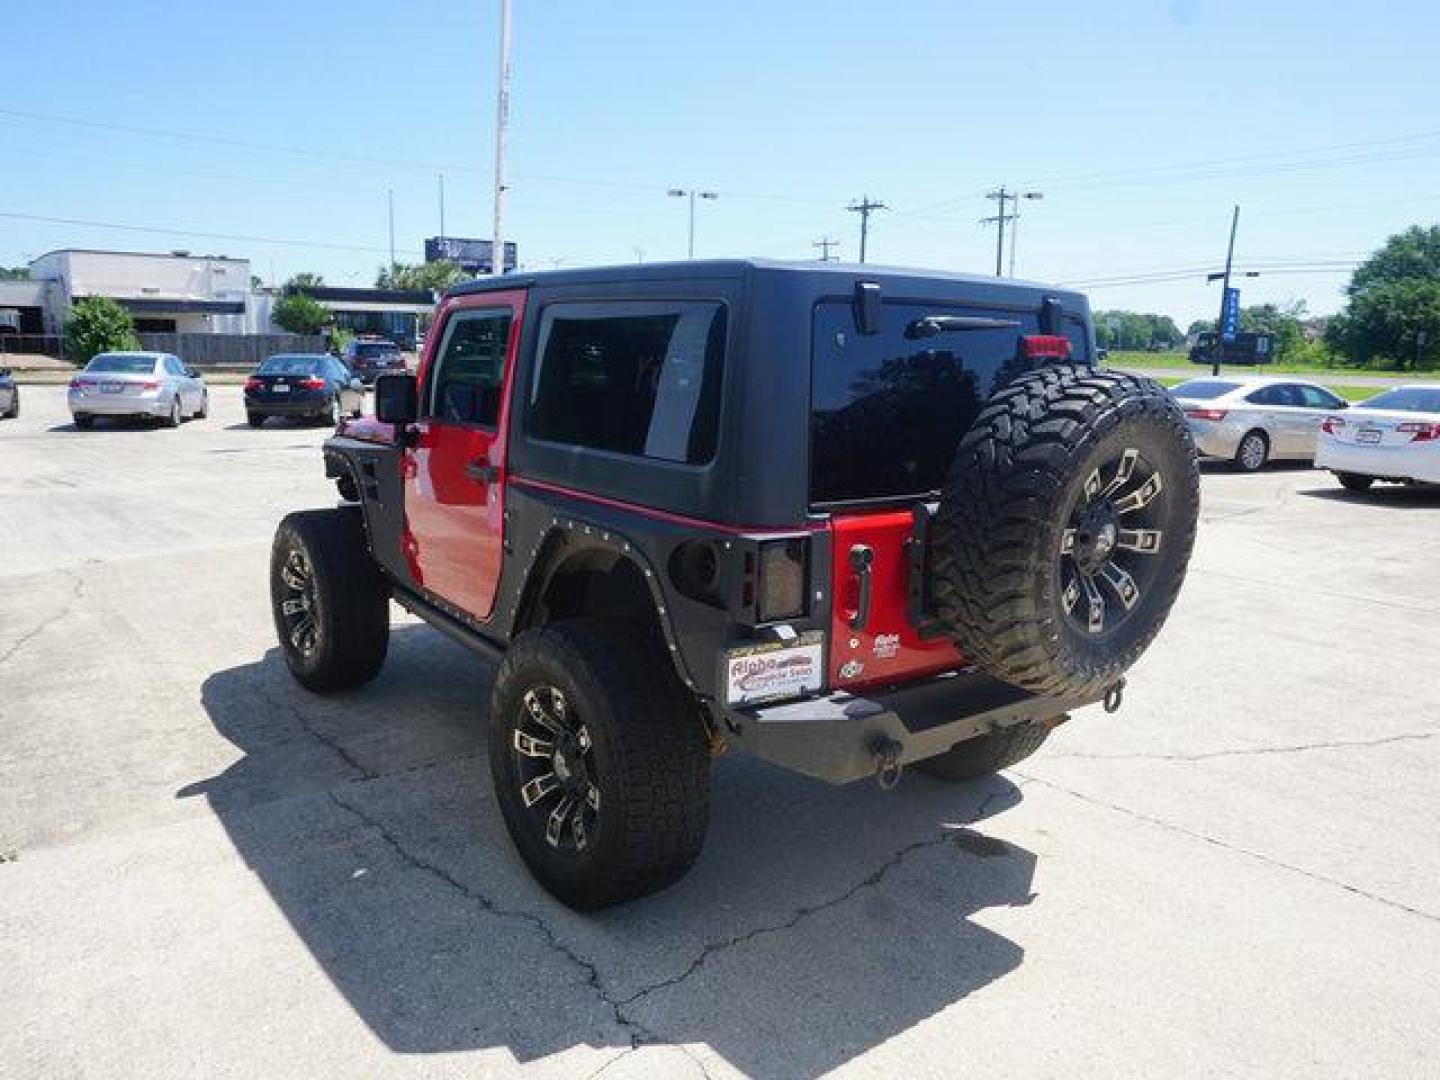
820,922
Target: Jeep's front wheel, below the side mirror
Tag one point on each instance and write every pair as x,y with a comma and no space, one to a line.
330,603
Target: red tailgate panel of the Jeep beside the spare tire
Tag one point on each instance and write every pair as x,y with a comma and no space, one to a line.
888,649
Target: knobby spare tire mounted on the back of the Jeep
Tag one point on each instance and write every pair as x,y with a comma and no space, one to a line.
1065,529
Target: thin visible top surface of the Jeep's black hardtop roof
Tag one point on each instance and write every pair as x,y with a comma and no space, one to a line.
823,274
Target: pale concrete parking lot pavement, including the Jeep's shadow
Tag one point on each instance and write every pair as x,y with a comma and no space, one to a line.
210,872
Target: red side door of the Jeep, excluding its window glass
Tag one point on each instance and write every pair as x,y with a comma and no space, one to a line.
456,479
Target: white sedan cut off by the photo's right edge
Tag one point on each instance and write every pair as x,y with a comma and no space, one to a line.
1395,436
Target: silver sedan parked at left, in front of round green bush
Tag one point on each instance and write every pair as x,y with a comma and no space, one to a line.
140,385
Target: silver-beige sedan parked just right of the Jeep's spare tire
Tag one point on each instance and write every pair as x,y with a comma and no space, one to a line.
1254,420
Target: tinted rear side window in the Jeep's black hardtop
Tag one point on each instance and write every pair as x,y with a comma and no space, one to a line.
631,378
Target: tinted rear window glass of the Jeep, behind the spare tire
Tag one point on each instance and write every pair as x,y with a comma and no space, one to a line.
888,411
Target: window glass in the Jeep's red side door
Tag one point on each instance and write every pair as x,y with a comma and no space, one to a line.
466,378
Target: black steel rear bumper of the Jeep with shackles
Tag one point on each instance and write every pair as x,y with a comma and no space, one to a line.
836,738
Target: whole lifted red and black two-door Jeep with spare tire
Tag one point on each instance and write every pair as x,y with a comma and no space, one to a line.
846,519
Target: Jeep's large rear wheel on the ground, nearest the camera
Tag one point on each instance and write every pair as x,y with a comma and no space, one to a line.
600,764
